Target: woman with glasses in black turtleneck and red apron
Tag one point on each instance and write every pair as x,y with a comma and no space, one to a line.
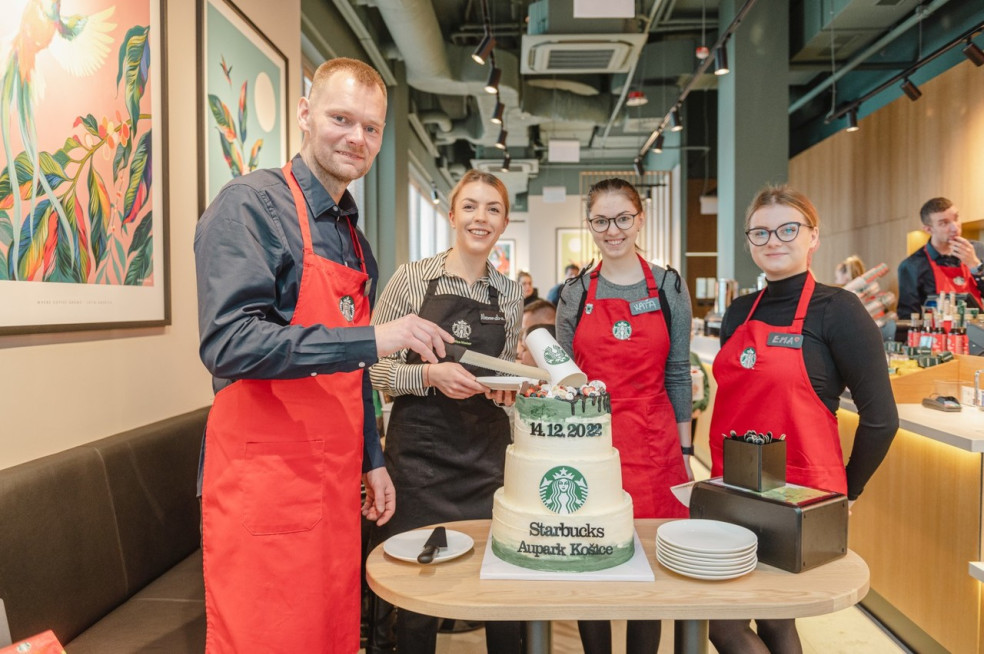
792,386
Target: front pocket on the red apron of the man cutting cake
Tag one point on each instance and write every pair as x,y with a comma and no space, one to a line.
282,486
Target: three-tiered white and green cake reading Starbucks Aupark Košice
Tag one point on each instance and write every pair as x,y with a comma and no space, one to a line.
562,507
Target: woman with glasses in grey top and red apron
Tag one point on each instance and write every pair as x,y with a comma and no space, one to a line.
627,323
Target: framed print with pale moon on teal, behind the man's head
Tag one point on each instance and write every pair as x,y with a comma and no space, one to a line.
242,98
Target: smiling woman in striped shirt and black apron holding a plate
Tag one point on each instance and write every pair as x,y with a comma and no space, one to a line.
447,437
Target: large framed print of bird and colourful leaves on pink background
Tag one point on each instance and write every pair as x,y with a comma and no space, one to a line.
84,246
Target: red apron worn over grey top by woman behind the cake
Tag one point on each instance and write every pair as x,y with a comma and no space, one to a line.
628,352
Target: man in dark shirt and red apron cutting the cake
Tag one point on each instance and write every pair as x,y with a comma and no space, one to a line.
285,286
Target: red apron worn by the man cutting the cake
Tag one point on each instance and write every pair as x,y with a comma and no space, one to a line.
281,493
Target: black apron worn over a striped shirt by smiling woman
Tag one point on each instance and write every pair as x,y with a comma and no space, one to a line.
446,457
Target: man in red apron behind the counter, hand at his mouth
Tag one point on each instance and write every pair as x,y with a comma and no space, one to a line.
949,263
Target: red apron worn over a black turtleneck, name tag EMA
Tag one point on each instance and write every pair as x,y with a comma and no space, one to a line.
766,388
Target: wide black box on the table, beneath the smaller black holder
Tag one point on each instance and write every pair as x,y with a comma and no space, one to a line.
792,535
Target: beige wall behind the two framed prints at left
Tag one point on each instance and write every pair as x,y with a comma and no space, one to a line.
62,390
